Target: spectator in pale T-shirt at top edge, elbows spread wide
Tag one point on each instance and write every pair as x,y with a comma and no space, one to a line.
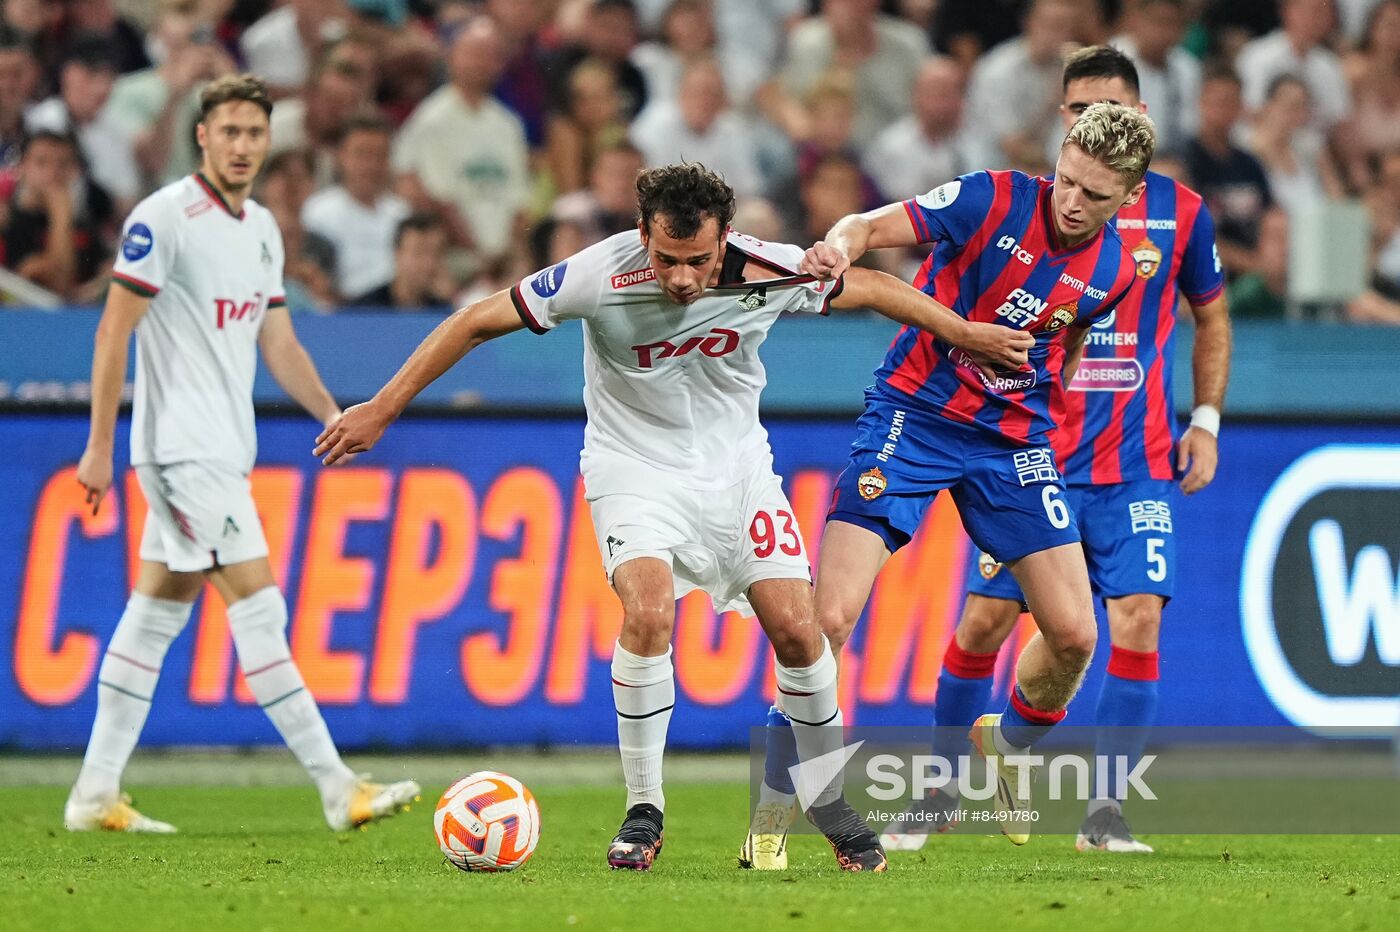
883,52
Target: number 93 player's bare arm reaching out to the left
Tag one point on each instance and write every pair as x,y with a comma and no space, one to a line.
362,426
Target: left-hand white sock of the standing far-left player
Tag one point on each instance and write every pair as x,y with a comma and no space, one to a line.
127,682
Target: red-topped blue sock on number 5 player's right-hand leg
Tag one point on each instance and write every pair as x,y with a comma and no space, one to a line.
1128,710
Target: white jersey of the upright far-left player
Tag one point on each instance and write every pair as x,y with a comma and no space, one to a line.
212,278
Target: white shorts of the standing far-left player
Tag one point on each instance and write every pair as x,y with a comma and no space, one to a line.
201,516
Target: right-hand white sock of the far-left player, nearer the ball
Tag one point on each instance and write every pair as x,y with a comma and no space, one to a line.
260,629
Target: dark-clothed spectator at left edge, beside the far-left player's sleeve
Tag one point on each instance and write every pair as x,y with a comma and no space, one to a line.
54,234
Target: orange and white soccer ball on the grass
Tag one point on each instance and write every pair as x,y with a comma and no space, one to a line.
488,822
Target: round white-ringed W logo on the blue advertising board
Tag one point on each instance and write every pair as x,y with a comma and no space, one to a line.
1319,591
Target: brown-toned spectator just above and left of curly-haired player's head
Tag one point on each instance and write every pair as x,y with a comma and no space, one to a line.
590,121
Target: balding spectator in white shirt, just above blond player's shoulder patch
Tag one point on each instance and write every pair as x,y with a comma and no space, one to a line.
927,148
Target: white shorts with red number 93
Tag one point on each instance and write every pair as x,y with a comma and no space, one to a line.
720,541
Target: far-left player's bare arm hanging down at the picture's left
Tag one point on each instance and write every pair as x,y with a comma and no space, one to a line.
114,334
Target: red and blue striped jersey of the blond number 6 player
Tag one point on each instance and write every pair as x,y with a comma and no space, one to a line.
997,260
